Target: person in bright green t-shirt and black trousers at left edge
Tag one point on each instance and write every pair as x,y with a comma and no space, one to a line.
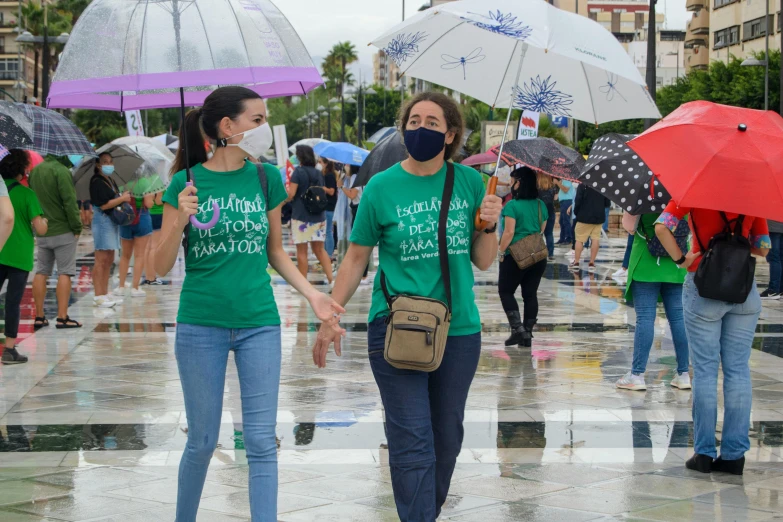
16,257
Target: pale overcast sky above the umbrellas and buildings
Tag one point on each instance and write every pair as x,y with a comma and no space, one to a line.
323,23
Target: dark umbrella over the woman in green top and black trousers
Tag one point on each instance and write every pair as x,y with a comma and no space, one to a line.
545,155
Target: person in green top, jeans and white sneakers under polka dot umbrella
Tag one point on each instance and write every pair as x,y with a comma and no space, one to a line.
650,278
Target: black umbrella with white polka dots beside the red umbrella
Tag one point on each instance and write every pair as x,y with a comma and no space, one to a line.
617,172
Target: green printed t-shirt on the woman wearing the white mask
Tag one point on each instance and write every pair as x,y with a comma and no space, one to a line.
226,282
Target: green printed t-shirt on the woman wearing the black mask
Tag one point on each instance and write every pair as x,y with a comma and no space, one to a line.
400,212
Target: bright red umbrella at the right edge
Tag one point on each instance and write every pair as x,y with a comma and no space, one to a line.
718,157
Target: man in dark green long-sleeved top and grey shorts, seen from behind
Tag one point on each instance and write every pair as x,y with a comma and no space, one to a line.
53,184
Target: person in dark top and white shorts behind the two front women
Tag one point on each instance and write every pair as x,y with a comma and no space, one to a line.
308,228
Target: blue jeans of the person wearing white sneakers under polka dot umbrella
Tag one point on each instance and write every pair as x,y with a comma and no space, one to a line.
645,302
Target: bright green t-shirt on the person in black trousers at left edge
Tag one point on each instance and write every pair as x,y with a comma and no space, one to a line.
18,250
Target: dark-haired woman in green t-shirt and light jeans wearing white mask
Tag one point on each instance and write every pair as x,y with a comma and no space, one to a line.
227,301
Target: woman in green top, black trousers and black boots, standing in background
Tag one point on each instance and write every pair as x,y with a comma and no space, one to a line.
523,216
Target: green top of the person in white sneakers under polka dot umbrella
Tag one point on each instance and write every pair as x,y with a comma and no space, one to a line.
645,268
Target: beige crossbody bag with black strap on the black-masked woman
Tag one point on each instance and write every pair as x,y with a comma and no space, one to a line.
418,327
